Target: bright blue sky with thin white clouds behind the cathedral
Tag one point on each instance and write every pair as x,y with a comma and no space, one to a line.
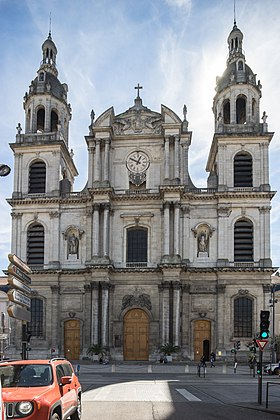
173,48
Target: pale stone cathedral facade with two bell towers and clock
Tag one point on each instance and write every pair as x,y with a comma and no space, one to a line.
141,256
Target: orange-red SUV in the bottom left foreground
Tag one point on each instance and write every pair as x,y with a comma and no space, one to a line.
40,390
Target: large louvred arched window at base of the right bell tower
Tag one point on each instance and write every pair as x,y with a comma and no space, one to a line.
243,170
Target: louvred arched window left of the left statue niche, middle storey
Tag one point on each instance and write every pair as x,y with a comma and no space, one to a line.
35,244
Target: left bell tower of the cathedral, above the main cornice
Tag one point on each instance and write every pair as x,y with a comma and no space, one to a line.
43,162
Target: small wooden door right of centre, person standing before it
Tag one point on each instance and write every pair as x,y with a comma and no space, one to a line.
201,339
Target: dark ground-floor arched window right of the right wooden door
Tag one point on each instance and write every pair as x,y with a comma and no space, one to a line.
243,317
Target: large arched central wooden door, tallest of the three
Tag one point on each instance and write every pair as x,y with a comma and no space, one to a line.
136,335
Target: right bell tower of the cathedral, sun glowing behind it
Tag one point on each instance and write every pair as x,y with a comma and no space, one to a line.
239,151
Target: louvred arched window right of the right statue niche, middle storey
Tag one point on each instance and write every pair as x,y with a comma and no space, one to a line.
243,241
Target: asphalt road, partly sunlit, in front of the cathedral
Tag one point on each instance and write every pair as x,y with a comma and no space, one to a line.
174,392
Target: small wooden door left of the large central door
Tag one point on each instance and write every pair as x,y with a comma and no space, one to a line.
72,339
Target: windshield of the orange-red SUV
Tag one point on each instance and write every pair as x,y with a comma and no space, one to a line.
25,375
